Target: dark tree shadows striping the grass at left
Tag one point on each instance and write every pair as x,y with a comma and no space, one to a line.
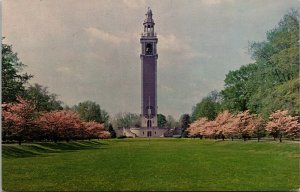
43,148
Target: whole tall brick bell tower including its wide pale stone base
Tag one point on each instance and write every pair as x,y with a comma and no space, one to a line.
148,116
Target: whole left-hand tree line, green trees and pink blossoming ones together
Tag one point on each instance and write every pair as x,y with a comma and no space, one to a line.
32,113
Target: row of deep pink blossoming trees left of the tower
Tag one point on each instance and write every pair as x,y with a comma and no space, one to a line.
22,122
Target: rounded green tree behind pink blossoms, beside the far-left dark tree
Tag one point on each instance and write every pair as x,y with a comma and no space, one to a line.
43,100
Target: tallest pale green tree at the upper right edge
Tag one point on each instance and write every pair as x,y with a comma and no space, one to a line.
278,56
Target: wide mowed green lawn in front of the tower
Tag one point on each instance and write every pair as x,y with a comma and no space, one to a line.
155,164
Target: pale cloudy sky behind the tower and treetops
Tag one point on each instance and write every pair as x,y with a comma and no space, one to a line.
89,49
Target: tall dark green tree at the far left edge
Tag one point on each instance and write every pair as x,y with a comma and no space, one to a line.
13,80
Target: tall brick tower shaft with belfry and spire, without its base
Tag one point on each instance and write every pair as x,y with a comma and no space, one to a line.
149,78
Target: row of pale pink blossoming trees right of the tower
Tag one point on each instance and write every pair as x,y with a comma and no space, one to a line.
245,125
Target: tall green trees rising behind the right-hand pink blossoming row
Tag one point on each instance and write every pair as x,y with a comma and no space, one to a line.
269,84
